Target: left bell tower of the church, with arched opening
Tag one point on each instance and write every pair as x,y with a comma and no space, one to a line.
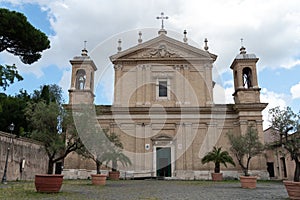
82,81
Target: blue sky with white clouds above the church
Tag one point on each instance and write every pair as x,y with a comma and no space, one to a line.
270,29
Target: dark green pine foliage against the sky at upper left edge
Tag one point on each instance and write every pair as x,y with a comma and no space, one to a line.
20,38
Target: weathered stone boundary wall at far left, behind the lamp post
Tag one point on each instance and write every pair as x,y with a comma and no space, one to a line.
36,159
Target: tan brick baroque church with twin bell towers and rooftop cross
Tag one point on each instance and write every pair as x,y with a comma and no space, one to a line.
164,111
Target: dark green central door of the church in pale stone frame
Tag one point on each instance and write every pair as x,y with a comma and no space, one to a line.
163,162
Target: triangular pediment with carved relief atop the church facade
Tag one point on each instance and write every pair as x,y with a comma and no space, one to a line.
162,47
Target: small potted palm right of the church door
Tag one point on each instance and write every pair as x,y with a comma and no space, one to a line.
218,157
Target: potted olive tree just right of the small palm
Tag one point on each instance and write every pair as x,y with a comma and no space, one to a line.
245,147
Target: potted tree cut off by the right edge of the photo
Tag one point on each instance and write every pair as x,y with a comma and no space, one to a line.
286,125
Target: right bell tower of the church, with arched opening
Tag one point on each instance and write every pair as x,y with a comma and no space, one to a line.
246,88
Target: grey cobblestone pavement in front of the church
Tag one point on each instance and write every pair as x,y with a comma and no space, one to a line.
173,190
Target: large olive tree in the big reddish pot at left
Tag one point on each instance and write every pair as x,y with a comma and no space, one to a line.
48,122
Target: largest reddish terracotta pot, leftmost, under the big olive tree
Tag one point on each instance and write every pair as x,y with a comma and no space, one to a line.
48,182
